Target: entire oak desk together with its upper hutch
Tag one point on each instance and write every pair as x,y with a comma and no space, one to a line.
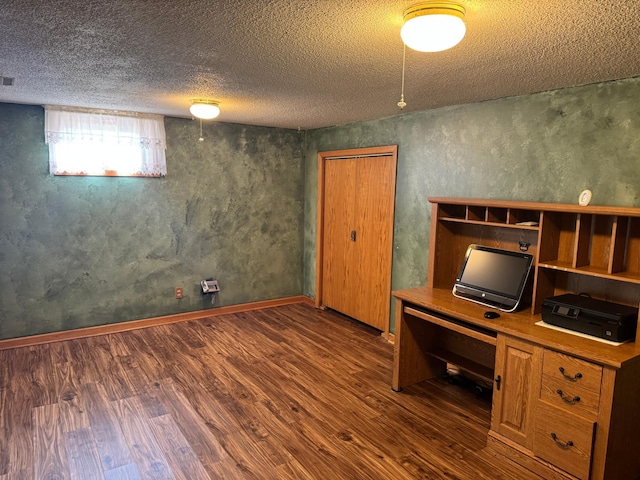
564,406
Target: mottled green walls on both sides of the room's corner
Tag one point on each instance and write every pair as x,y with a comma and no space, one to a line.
241,206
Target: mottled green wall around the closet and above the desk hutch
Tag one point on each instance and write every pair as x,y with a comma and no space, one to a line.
542,147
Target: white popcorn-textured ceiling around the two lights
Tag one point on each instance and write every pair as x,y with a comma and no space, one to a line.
298,63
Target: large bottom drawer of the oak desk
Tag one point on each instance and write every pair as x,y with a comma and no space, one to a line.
563,439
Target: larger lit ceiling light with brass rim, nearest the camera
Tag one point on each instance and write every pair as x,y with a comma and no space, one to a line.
433,26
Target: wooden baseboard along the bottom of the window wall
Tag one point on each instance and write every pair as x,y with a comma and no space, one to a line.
148,322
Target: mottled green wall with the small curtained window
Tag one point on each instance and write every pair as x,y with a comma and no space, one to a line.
84,251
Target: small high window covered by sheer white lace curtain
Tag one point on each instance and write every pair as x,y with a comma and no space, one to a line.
98,142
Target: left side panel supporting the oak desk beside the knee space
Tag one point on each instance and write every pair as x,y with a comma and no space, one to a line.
411,360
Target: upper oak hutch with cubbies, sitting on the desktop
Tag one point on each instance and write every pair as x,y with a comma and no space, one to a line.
586,250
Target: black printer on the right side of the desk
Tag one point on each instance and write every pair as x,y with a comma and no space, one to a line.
601,319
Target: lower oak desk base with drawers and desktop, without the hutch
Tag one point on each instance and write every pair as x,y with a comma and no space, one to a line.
596,436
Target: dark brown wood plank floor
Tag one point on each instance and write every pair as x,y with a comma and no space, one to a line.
282,393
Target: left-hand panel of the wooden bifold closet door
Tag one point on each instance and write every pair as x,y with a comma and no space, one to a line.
338,263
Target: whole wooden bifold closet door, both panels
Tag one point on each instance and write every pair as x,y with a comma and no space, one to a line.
359,200
